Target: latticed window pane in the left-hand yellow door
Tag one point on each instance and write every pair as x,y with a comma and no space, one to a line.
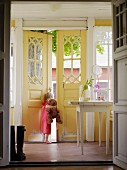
35,60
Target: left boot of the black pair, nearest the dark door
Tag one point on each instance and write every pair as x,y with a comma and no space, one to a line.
13,156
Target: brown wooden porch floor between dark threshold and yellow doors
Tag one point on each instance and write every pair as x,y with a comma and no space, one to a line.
41,152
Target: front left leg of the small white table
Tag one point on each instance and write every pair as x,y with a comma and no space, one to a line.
81,129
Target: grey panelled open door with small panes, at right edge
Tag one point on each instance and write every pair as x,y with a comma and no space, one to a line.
120,83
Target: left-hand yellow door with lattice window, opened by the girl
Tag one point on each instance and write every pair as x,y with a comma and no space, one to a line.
36,77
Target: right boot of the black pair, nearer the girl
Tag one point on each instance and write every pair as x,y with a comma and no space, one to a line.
20,141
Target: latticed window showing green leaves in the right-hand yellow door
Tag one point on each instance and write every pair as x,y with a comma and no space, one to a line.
72,59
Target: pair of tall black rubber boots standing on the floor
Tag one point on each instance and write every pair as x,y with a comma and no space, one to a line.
19,156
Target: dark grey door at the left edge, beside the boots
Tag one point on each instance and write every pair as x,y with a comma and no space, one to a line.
4,81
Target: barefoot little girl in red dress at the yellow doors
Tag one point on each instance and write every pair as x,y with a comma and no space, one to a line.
45,127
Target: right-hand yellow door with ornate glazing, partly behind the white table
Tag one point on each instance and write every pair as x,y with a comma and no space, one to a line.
71,73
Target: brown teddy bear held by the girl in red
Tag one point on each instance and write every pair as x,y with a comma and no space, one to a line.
53,112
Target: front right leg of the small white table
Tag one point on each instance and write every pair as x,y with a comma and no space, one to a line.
107,130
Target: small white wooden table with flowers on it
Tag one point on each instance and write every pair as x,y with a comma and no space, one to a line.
92,106
